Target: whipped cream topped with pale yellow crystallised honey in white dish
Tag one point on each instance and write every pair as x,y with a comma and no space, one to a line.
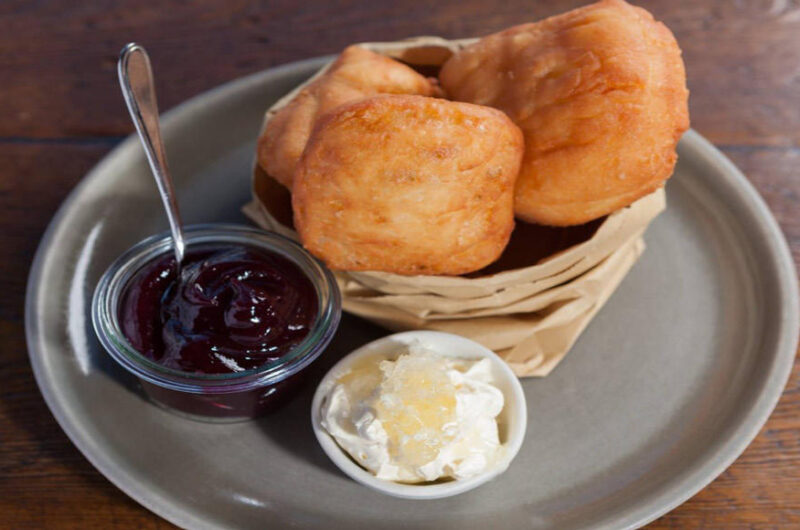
418,418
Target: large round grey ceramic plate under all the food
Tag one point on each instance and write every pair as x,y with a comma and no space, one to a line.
662,392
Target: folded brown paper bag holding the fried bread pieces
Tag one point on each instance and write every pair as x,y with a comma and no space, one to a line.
531,313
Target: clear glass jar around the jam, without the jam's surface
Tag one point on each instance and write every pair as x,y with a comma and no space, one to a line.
225,397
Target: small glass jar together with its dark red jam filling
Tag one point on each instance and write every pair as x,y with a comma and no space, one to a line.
209,373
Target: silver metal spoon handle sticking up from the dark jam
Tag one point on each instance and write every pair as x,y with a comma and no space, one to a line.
136,81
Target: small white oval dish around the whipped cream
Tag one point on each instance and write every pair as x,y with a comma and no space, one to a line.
511,422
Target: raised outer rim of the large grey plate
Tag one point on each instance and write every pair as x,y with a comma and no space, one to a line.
662,501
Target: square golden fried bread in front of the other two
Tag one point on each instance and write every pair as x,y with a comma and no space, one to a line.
408,184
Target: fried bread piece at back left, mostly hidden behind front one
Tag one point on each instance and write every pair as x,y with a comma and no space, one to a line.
357,73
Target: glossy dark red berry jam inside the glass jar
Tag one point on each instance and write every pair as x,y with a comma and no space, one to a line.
231,309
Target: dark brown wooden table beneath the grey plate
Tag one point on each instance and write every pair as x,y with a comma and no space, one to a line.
61,111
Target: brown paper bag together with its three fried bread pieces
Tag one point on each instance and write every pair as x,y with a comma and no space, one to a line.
497,188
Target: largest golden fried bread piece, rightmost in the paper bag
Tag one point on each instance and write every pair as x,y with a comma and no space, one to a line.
600,95
